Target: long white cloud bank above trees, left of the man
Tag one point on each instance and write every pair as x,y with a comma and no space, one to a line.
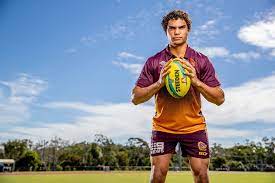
113,120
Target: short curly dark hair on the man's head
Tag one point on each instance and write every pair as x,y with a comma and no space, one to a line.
174,15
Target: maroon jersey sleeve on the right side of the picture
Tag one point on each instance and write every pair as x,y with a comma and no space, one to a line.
208,75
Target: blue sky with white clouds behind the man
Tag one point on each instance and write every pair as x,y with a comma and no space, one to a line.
68,67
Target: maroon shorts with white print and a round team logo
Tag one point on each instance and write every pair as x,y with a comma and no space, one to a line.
192,144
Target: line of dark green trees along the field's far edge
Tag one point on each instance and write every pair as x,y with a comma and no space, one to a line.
103,154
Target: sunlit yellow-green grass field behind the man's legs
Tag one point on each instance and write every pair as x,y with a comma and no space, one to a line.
133,177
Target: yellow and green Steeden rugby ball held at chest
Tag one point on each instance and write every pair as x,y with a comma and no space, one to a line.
177,83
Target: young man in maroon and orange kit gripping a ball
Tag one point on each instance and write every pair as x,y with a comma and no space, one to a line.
178,120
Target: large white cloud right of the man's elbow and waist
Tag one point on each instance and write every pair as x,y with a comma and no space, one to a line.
250,102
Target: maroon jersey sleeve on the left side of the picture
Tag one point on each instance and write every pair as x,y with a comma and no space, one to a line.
146,76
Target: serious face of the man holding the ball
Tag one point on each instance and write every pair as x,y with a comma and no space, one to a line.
177,32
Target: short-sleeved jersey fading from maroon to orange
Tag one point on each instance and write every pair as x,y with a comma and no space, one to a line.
178,116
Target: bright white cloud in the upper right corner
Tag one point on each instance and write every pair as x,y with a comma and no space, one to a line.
260,33
